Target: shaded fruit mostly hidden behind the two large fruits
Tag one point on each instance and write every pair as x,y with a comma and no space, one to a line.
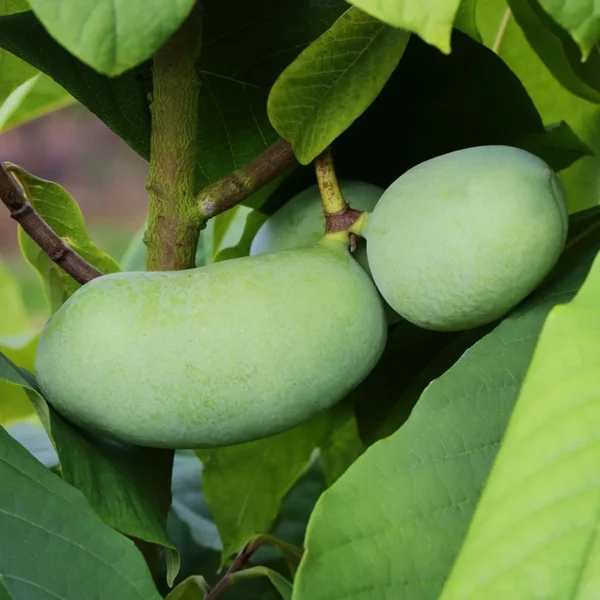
300,223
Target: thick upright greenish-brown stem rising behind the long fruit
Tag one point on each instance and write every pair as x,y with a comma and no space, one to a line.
173,220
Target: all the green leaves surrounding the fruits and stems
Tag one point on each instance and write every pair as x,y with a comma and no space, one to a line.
463,466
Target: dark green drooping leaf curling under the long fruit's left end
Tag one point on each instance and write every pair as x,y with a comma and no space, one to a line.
118,481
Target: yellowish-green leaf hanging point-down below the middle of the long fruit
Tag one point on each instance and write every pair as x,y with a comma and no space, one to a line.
244,485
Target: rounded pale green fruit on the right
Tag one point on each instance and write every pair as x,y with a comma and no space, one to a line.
459,240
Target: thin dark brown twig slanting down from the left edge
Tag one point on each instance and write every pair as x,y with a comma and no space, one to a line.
41,233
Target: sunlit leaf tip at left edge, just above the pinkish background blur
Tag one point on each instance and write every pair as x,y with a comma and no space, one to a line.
33,98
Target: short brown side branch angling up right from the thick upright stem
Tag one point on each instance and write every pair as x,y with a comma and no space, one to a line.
243,182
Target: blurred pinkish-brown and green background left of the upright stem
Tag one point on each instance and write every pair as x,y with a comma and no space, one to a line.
75,149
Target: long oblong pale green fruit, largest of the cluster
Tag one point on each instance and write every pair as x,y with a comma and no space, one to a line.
213,356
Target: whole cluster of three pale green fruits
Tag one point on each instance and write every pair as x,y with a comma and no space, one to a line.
246,348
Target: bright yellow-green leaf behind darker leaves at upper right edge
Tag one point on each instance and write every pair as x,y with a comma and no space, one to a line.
554,102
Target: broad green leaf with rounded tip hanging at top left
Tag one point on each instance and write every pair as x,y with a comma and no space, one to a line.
111,37
